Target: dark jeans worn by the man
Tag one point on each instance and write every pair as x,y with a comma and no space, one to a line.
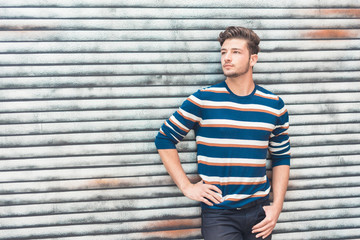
232,224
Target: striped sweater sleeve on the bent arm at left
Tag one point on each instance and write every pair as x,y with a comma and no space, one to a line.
180,123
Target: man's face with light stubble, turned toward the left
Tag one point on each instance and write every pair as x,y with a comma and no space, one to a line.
235,58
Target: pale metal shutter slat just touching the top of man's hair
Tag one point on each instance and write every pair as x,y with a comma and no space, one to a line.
157,24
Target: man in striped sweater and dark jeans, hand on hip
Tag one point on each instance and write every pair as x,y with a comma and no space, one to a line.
236,123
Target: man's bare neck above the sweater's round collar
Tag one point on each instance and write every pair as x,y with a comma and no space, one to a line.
241,86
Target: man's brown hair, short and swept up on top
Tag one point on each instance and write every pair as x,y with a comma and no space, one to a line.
249,35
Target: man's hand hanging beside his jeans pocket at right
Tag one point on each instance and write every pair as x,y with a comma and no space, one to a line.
267,225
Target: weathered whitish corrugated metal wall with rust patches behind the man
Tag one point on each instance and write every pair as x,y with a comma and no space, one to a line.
85,85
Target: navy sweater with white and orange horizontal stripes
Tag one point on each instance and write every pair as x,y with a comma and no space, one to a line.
233,135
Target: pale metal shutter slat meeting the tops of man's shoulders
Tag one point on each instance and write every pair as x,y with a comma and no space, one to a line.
168,91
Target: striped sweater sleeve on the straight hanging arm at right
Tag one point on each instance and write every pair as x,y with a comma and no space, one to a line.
279,144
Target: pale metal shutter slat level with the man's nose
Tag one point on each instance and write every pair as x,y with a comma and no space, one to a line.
127,58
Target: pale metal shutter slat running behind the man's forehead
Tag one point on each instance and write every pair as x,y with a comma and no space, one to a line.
166,46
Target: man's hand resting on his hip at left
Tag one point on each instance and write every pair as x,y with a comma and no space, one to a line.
206,193
